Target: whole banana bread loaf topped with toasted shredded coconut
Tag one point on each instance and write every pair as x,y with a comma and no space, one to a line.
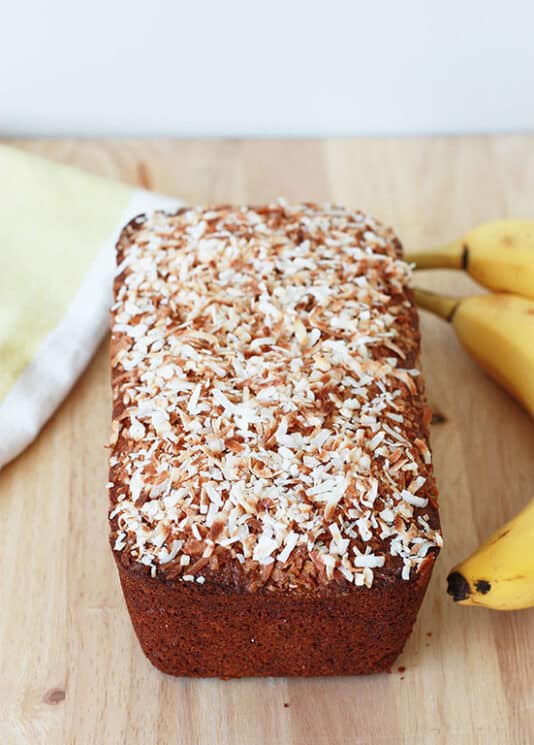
273,509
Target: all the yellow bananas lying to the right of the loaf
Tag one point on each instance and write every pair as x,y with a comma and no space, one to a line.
497,329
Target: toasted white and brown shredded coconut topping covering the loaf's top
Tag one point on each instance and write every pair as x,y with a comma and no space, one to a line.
263,363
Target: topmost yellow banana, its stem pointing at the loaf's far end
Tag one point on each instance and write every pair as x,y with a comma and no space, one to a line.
499,255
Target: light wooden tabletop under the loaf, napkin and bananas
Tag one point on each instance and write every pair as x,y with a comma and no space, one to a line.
71,668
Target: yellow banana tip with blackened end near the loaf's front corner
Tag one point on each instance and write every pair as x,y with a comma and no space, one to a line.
500,574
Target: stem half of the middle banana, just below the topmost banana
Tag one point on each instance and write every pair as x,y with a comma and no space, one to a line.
498,331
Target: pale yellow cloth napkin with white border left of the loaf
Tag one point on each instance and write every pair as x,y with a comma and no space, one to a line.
58,228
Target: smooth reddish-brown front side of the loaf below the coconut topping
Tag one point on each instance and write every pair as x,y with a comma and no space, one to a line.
189,631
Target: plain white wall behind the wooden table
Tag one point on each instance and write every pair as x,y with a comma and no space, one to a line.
157,67
